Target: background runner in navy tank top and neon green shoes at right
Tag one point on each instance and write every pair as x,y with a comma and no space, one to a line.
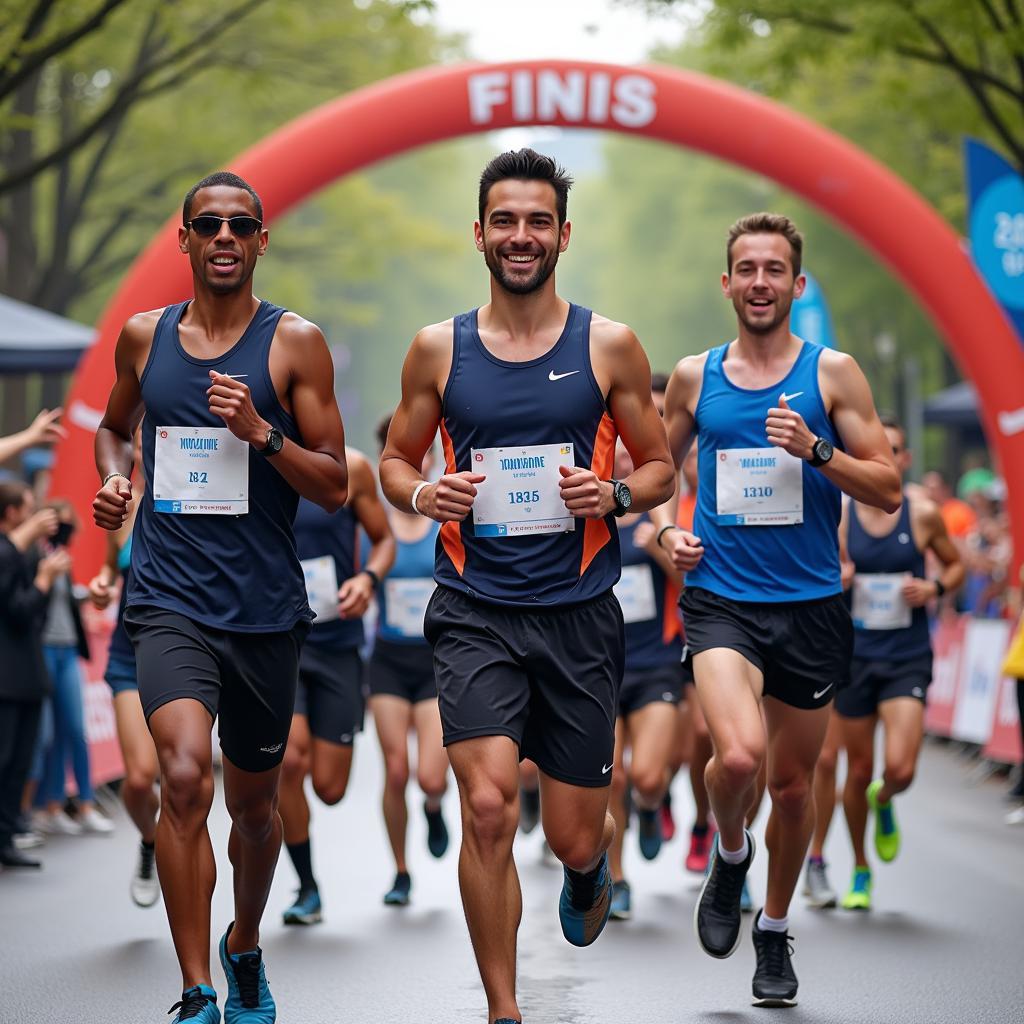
892,658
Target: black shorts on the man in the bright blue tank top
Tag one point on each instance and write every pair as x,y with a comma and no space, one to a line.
802,649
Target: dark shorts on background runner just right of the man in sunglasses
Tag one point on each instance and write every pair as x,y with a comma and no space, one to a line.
330,694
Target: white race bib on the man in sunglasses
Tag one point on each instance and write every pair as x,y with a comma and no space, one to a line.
200,472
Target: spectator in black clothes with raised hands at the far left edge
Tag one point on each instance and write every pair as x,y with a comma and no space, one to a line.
24,682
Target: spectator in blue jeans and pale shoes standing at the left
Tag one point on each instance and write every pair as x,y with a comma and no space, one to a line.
64,644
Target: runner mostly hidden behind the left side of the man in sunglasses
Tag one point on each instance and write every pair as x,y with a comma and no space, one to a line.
139,789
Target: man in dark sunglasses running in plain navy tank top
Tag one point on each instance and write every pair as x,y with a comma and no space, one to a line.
241,420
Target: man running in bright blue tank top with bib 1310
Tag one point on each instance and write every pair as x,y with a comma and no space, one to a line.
783,426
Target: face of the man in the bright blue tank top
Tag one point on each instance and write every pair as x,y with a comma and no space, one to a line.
761,285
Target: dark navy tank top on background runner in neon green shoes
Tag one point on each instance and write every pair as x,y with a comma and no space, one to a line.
895,552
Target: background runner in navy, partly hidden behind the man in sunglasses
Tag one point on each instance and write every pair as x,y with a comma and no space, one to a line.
329,703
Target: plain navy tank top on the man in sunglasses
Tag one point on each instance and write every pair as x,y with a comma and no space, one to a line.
239,574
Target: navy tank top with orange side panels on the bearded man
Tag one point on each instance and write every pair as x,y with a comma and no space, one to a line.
491,403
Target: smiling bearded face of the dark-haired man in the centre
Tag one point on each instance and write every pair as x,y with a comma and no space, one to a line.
521,238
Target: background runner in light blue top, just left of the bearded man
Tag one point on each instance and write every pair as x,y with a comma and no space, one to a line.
403,689
